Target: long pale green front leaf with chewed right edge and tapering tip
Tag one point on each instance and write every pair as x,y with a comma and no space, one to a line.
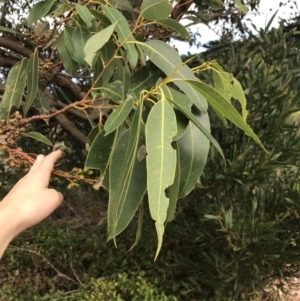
161,162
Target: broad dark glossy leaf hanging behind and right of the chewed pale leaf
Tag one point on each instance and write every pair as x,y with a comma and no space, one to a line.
192,149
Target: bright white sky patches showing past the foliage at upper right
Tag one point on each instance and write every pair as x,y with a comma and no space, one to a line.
260,20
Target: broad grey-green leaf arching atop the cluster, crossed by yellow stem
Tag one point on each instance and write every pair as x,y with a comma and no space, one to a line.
168,60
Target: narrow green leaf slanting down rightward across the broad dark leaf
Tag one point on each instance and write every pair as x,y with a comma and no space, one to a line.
176,101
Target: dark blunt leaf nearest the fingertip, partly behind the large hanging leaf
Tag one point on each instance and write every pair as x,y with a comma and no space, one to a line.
100,152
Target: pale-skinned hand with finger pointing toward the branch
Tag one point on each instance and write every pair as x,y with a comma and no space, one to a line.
30,200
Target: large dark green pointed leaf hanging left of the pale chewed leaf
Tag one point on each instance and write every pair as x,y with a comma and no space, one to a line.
127,177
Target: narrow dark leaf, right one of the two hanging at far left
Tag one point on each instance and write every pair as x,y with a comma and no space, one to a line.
32,80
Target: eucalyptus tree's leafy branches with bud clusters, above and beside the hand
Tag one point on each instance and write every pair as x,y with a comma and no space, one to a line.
144,110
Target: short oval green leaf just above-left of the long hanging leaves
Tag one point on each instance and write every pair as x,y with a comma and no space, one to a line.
117,117
